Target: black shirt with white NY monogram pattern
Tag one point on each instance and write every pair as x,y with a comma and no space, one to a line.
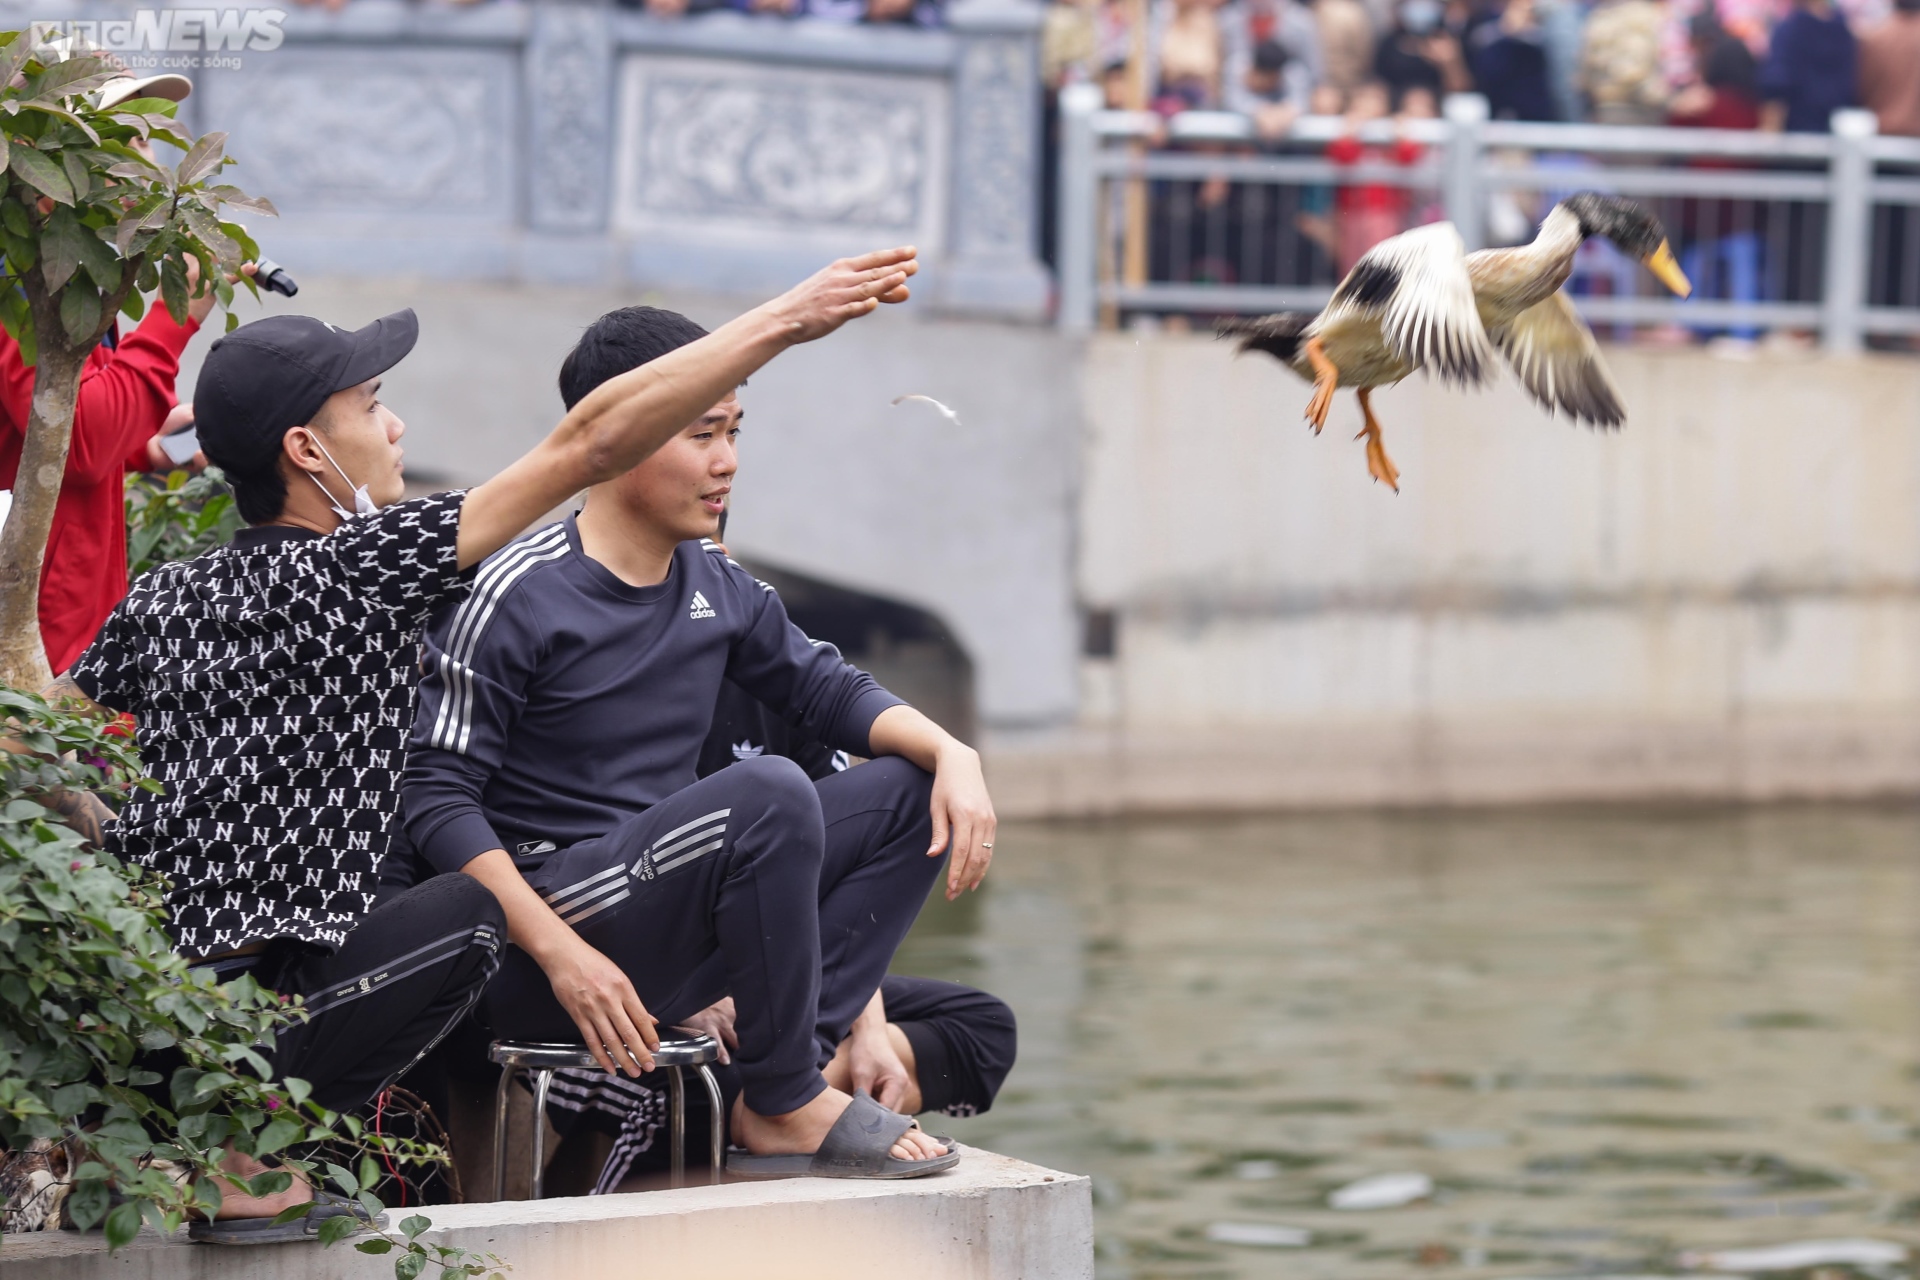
274,682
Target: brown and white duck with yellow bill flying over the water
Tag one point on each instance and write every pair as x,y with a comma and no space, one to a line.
1422,302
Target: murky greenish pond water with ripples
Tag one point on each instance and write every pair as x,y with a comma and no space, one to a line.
1608,1041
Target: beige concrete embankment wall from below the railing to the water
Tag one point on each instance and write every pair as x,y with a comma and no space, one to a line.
1721,600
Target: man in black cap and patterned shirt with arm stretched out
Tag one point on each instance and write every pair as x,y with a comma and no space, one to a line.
274,680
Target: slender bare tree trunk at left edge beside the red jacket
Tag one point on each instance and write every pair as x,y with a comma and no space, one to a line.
43,465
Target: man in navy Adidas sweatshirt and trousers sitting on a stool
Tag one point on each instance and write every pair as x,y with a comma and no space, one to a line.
556,757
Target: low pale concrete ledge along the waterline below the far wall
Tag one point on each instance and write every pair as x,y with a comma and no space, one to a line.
1458,763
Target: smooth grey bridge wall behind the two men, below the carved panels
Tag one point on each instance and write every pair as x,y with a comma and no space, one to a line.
971,523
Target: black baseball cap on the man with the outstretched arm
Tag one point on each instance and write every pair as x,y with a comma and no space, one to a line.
274,375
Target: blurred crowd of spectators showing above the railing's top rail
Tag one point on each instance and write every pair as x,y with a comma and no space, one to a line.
1723,64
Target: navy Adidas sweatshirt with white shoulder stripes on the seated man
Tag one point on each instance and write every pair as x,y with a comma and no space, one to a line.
558,699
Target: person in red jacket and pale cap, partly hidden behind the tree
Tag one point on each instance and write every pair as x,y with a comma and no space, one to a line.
126,398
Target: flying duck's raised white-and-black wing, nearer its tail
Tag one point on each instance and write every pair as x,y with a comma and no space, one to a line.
1420,287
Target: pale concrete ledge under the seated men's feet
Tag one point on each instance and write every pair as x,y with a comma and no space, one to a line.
992,1220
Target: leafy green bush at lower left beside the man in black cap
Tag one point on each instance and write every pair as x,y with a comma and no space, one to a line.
93,997
